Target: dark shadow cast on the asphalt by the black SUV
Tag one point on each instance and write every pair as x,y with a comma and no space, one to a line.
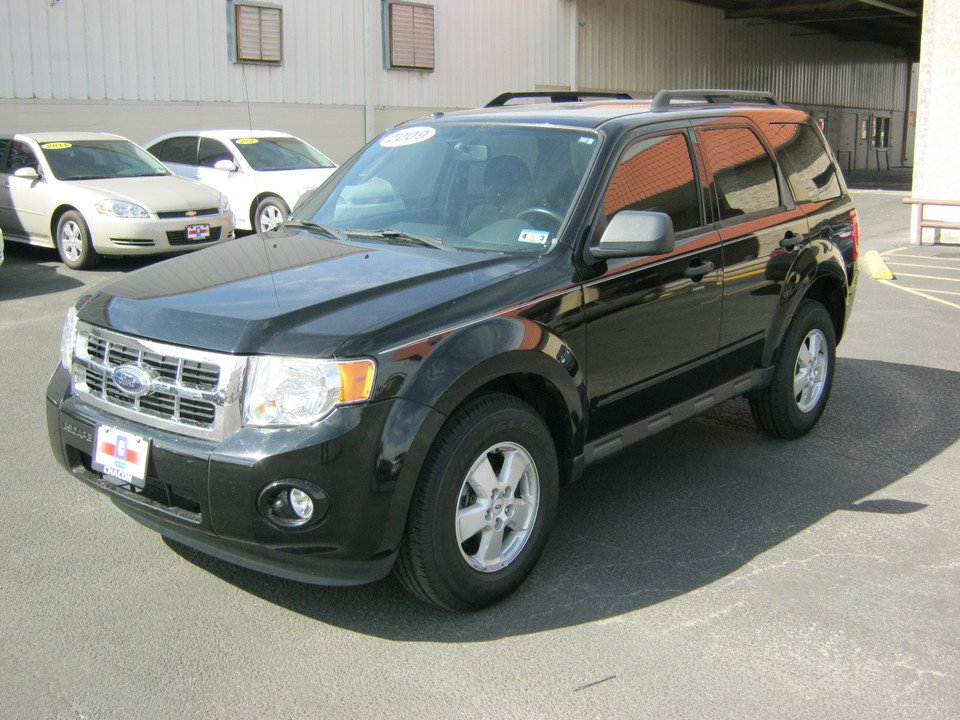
676,513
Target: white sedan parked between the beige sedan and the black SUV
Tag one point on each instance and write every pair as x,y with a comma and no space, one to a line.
263,172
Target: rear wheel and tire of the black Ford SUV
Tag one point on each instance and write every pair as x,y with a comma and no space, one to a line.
802,377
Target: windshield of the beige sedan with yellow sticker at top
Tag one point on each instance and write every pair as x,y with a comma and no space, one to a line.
91,159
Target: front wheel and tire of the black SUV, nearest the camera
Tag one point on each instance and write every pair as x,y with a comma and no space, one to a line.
483,507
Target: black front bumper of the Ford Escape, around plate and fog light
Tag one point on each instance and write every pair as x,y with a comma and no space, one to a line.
204,494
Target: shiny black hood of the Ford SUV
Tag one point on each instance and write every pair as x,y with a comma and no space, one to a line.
290,293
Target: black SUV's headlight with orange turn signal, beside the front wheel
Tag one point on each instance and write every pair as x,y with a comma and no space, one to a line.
283,391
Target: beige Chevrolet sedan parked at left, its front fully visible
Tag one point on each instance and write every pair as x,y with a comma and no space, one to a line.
93,194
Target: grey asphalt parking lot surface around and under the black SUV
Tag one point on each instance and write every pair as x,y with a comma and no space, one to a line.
711,572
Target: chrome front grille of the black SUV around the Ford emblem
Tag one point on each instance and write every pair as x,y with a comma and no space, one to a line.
190,391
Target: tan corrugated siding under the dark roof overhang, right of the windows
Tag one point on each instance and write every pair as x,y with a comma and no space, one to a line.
644,45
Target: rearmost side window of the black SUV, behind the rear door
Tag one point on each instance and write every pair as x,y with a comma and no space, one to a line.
809,169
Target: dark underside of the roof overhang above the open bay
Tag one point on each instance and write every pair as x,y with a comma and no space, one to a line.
888,22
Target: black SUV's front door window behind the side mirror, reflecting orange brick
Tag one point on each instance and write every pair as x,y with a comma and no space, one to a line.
656,174
